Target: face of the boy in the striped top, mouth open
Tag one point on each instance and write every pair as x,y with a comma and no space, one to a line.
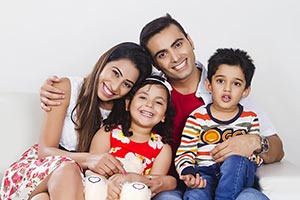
228,86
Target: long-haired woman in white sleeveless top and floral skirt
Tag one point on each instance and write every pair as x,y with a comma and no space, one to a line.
53,168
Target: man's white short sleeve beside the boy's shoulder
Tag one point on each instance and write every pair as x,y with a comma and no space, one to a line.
266,126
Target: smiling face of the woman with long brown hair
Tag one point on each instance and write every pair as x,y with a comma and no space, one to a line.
117,79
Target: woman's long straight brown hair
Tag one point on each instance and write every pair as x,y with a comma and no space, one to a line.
88,117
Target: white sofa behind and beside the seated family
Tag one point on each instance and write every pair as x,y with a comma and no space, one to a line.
21,118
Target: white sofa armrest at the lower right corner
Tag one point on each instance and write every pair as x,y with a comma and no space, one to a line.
280,180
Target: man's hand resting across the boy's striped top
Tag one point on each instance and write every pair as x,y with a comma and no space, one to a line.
243,145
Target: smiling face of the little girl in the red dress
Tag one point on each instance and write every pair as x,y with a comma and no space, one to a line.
148,106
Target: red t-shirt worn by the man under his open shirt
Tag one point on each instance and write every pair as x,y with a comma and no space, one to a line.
184,105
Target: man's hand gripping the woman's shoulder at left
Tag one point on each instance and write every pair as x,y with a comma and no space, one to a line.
48,93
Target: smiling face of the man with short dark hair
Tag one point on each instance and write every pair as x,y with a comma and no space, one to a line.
173,53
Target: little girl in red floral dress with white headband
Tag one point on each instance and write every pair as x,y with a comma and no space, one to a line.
143,131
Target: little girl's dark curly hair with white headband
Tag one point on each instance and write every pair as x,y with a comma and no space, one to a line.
119,115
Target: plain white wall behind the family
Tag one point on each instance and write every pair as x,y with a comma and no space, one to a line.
39,38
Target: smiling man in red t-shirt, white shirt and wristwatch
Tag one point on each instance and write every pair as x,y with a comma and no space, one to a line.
172,51
